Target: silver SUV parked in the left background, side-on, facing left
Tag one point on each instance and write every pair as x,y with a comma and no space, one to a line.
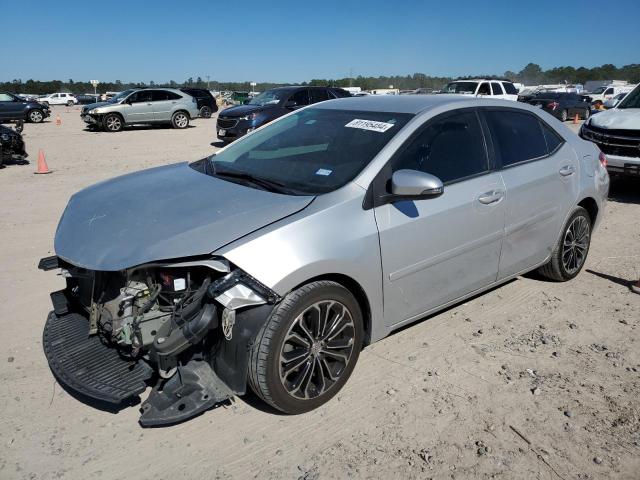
142,106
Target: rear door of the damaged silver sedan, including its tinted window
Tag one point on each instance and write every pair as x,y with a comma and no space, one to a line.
540,172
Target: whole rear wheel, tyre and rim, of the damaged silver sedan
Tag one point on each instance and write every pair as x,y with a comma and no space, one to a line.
570,254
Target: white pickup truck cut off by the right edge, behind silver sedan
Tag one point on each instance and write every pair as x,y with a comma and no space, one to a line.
617,133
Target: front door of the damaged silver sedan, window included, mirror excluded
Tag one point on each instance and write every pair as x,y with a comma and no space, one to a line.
437,250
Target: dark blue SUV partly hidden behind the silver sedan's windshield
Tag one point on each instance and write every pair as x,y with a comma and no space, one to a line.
237,121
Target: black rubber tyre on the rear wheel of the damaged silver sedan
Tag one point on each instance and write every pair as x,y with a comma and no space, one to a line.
558,269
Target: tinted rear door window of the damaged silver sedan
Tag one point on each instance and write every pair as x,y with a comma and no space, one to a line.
517,136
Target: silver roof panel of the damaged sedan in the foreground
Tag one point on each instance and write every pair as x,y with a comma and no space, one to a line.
404,103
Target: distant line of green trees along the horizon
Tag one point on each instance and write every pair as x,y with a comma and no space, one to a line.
532,74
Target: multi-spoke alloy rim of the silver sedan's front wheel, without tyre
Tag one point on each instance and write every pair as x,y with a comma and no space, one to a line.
316,349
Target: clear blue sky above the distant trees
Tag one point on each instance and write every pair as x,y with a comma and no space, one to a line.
293,41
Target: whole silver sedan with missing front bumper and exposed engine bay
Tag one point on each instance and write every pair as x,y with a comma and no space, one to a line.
272,263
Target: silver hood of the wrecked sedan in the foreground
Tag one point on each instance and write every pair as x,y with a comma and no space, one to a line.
160,214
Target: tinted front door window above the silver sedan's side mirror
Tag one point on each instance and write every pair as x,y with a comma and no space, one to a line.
451,147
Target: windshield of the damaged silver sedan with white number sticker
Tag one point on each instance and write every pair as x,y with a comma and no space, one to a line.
312,151
